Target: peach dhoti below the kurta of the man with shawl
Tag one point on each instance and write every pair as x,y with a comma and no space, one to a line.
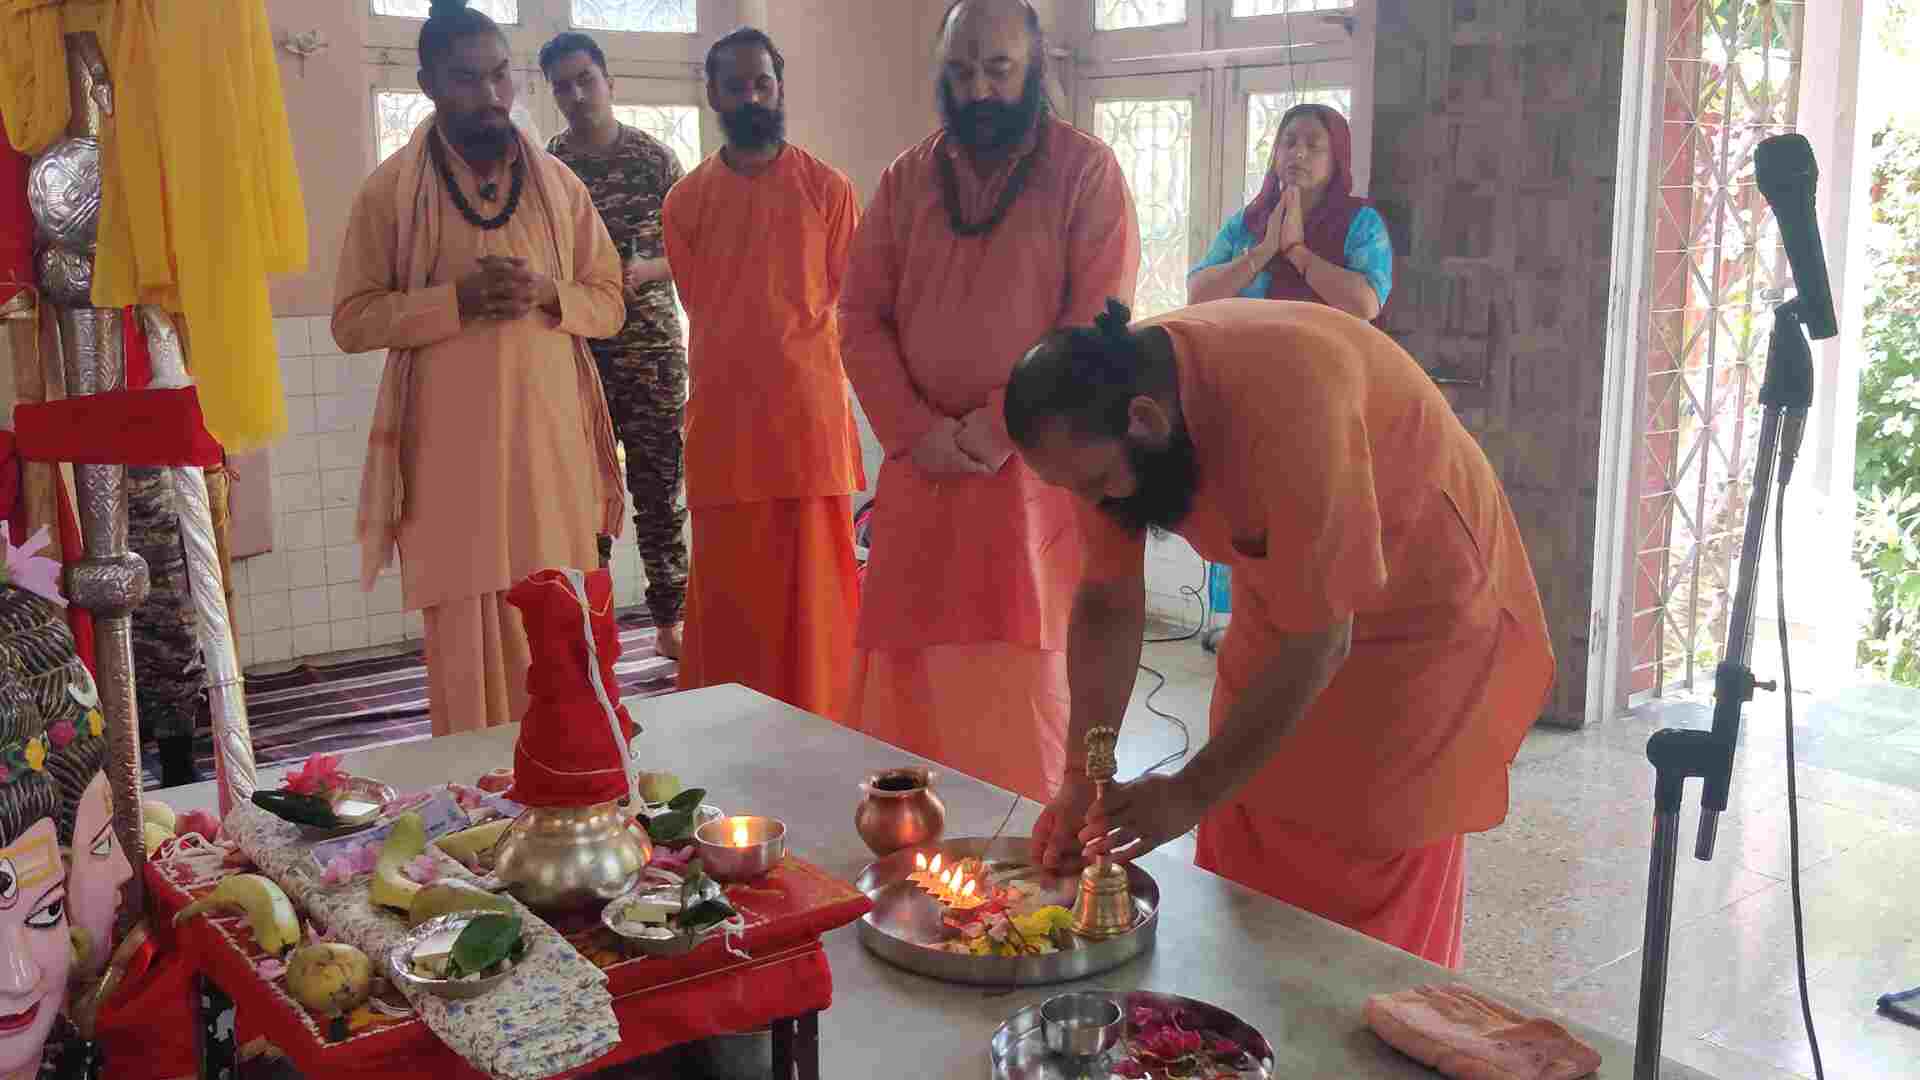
475,664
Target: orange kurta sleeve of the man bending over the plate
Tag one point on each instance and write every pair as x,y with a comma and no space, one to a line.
1322,554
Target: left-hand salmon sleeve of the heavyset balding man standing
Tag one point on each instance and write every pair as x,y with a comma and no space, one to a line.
871,333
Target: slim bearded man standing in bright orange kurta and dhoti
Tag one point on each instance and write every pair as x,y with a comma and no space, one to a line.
757,237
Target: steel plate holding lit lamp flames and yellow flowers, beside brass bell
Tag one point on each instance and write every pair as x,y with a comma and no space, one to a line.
978,912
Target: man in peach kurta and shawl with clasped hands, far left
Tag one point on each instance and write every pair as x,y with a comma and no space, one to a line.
479,262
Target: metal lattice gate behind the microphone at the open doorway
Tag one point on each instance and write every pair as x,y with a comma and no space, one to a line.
1731,78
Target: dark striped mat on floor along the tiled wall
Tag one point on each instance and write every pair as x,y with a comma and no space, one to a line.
358,704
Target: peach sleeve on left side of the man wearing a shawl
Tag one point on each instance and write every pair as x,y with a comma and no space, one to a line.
372,310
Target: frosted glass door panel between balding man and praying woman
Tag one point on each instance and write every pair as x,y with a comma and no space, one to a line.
1159,128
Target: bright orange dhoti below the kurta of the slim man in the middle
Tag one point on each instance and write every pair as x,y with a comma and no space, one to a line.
773,601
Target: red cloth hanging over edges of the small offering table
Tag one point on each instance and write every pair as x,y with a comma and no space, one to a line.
660,1002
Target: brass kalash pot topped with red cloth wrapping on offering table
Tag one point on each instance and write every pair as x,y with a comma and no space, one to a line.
560,858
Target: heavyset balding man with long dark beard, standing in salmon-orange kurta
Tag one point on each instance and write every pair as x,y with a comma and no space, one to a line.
996,230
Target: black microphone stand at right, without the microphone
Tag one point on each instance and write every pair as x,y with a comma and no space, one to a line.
1679,754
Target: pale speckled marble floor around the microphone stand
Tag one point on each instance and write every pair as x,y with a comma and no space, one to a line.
1556,900
